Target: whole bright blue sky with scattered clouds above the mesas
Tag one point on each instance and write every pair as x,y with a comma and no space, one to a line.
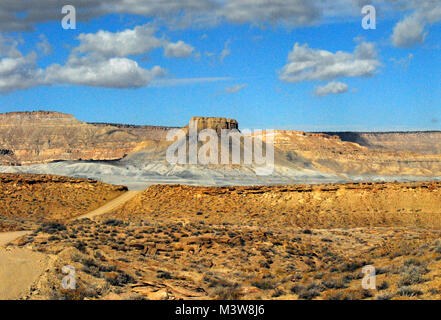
270,64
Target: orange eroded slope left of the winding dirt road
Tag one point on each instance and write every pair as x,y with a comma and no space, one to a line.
29,200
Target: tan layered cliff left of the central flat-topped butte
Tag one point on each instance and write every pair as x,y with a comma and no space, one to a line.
41,137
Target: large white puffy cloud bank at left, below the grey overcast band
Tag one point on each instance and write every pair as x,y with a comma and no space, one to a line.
100,60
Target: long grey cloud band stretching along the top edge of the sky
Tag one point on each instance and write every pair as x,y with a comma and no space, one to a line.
15,15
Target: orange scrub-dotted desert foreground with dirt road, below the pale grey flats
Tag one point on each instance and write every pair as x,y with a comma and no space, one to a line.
187,242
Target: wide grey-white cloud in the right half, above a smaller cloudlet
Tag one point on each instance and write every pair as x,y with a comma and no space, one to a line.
306,64
